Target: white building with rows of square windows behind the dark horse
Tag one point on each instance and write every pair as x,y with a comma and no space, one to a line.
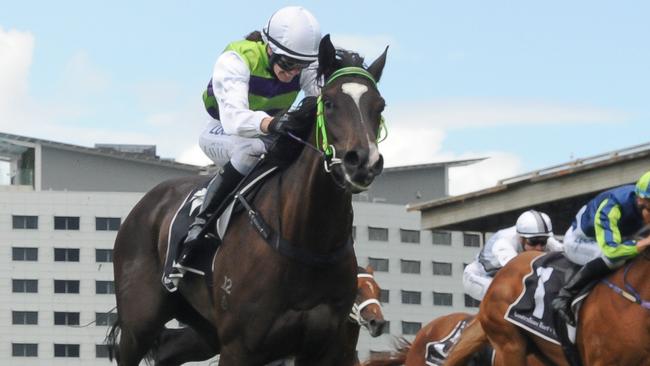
61,205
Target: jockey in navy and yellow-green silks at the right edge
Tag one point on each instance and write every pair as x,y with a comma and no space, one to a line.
600,238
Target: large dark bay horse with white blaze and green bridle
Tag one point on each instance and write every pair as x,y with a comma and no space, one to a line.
266,304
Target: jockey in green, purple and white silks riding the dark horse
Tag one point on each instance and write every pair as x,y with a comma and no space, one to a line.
253,80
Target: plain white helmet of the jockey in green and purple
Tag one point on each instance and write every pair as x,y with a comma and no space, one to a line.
293,31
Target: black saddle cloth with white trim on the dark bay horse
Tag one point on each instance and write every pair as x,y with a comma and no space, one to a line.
185,215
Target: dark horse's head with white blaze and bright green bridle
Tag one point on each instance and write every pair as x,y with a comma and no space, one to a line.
349,116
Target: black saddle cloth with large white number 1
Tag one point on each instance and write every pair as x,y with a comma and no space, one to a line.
532,310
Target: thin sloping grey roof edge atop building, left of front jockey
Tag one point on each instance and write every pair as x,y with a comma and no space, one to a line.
102,152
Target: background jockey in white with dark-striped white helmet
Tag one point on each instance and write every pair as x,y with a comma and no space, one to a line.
533,231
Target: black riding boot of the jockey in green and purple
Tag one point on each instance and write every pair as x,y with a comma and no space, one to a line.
218,189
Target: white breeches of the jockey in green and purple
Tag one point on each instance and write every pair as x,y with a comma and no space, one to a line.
242,152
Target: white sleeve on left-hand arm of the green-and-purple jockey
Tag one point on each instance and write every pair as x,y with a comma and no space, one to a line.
230,87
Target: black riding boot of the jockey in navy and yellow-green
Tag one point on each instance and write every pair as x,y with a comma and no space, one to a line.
562,303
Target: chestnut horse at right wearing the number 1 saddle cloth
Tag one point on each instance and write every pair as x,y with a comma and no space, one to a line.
612,330
